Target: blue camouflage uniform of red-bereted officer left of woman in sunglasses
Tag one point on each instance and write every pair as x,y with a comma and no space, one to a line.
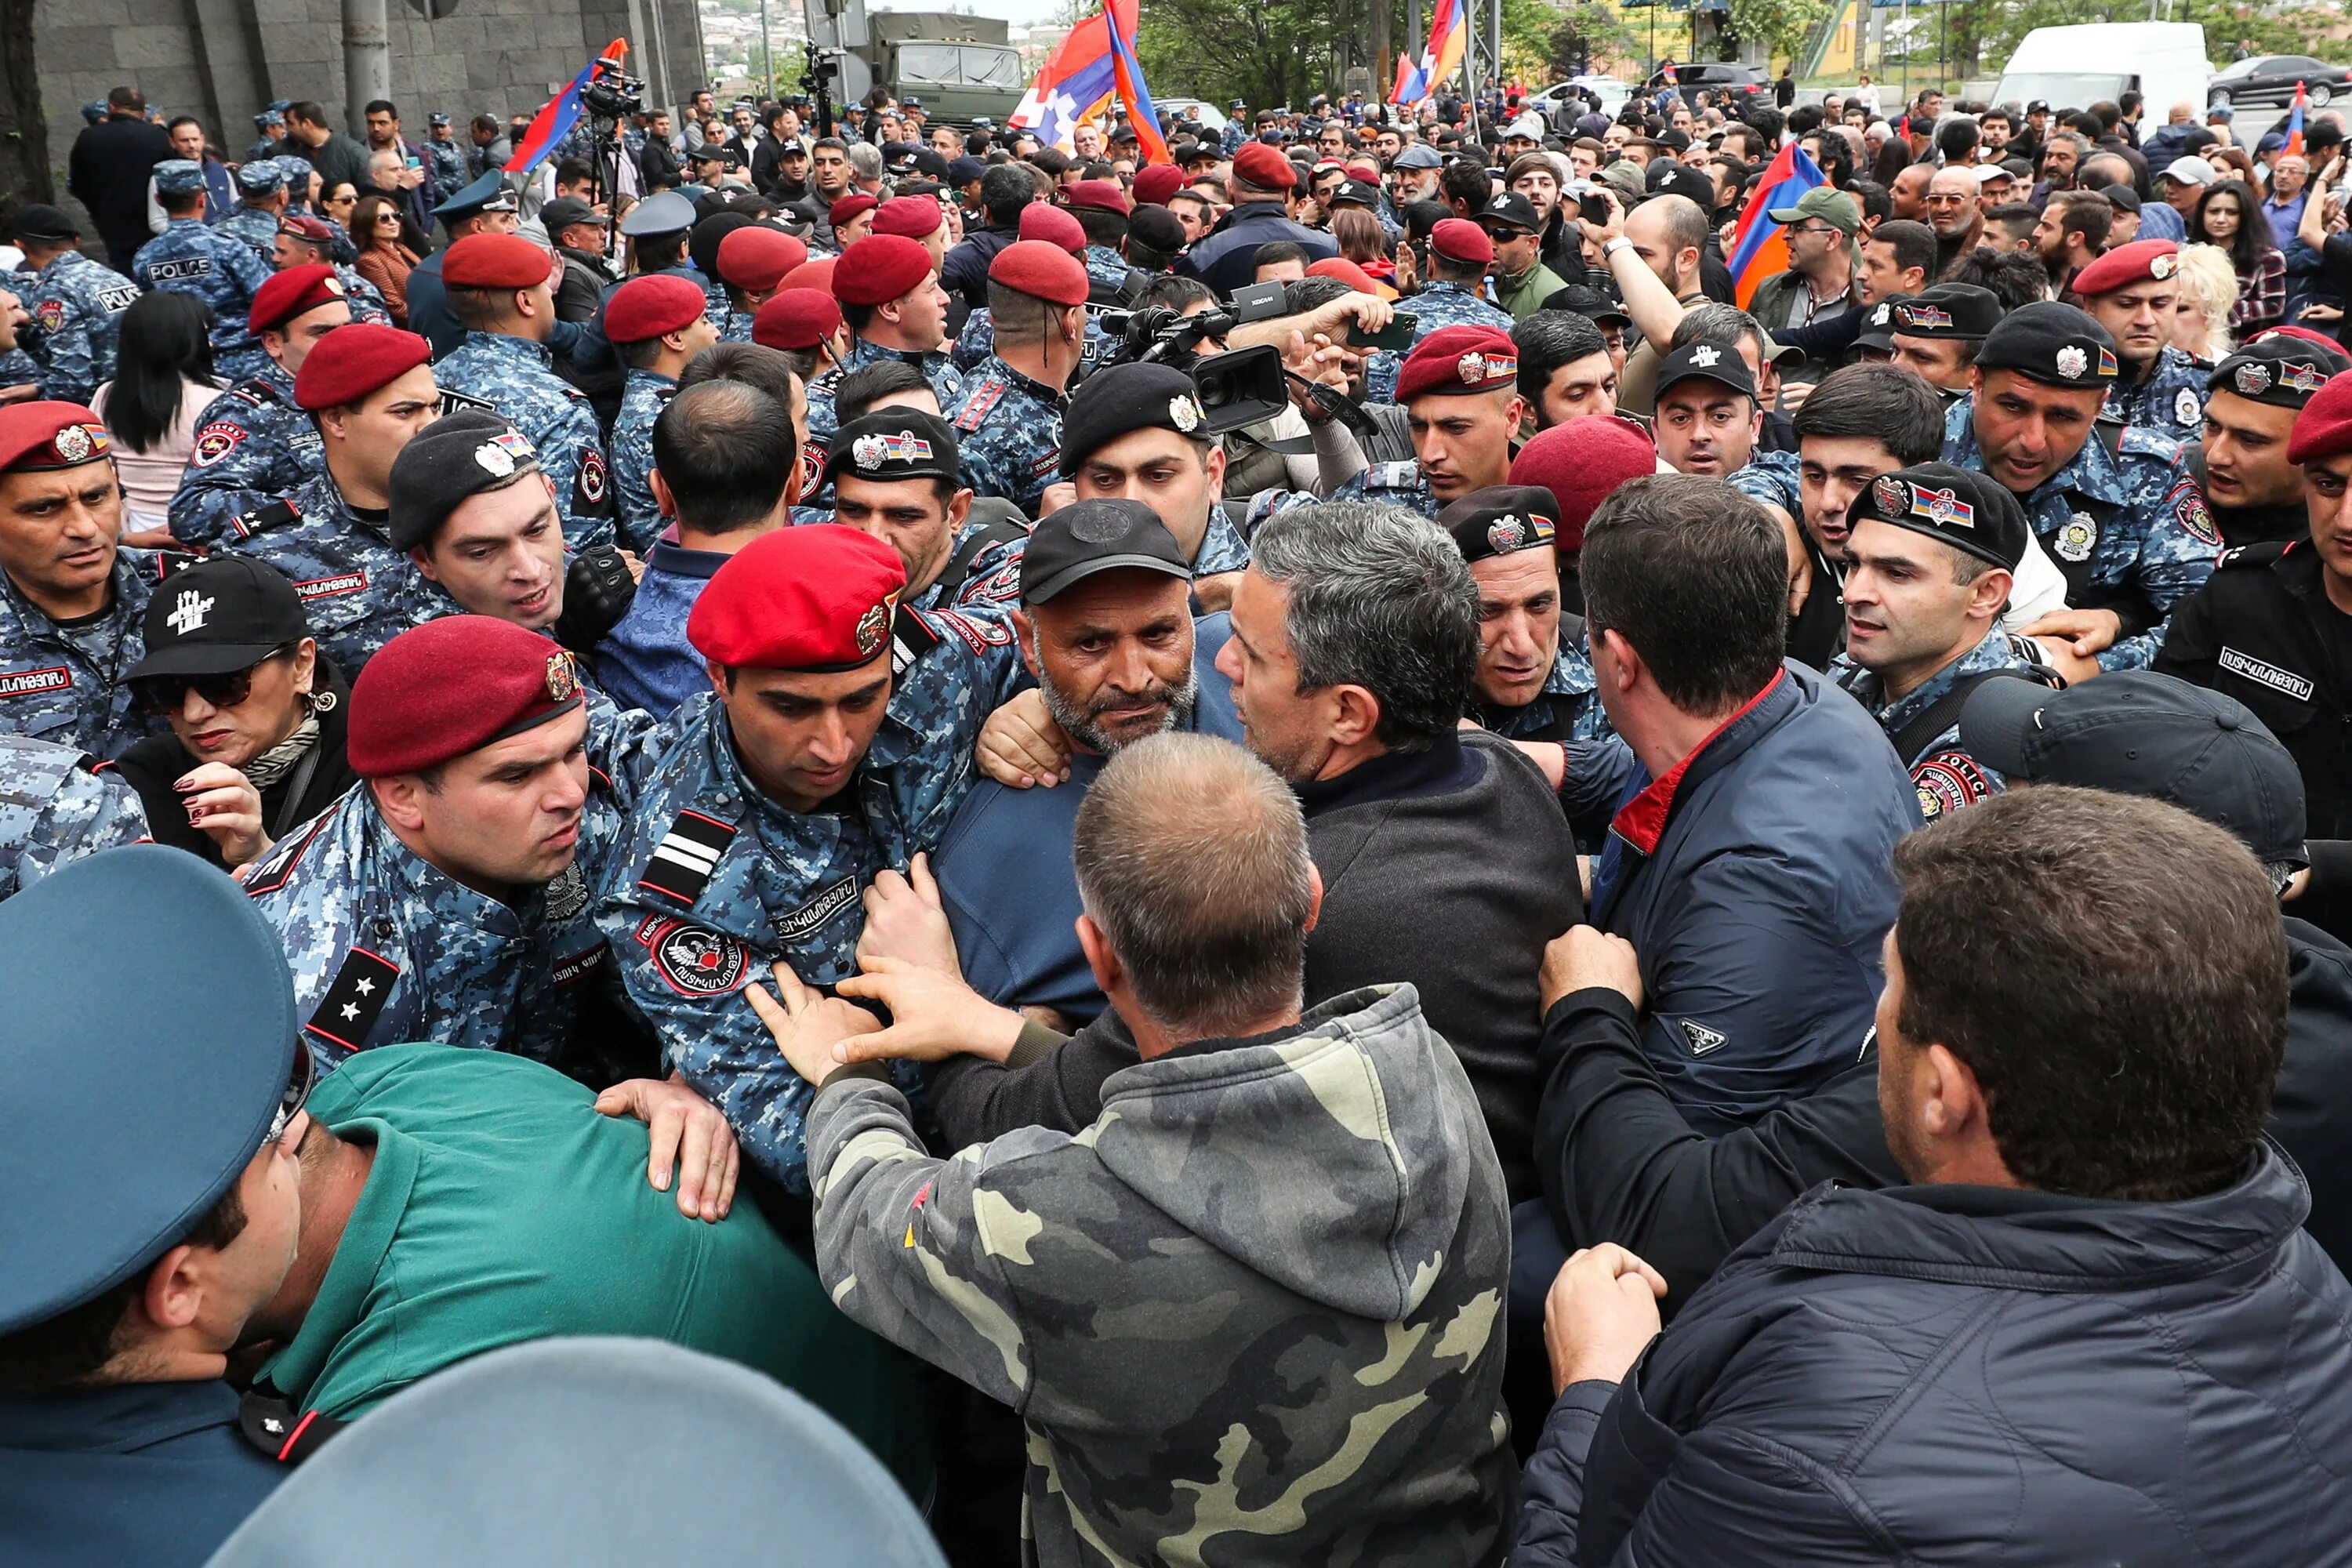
65,683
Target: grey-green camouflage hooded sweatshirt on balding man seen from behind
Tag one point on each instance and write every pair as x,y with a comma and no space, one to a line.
1252,1315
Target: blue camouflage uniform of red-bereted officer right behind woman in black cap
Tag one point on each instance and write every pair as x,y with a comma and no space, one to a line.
356,591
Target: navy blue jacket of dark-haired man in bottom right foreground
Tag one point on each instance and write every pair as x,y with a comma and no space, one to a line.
1977,1376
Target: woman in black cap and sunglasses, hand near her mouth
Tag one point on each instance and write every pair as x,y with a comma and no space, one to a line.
258,716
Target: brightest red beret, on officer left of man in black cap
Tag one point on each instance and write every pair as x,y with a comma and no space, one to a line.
810,598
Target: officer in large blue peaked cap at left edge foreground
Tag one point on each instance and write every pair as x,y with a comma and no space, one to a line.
154,1104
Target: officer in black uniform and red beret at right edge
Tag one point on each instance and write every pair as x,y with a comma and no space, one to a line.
2276,624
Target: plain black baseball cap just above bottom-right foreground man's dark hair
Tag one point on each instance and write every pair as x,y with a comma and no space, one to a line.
2149,735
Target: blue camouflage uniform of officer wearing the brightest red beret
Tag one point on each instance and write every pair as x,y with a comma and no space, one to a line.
719,883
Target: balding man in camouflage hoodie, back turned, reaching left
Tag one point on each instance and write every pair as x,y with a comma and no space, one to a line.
1316,1177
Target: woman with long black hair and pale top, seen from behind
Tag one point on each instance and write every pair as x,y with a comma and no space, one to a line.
163,382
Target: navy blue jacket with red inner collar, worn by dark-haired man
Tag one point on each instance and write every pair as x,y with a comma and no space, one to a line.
1756,880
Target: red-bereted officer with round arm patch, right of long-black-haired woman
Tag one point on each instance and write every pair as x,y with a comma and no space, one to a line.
253,443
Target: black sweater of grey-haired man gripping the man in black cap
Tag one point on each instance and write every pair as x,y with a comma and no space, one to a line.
1448,869
